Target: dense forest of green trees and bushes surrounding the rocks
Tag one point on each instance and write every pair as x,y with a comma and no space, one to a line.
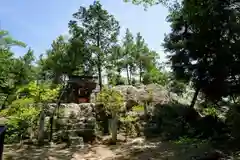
202,50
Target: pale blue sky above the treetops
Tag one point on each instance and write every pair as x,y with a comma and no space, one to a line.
38,23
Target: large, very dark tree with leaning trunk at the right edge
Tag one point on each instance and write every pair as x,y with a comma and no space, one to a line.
206,52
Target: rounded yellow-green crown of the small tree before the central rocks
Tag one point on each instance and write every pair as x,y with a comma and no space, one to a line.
111,99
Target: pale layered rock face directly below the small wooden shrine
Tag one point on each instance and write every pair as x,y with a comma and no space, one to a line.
76,120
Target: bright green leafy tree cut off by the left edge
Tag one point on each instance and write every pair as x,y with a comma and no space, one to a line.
9,69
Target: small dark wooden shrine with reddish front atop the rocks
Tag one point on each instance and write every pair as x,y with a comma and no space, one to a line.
79,89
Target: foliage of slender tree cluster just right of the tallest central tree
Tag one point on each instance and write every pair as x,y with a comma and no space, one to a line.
133,56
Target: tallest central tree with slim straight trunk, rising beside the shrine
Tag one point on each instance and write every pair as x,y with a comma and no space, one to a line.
101,30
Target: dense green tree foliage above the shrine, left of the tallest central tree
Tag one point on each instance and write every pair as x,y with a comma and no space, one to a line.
66,57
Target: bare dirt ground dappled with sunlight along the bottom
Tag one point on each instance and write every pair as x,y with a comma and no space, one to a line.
134,149
